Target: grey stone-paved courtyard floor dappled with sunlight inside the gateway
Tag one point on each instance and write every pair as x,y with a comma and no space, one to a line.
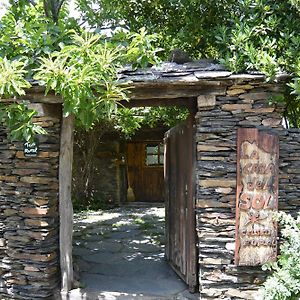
119,254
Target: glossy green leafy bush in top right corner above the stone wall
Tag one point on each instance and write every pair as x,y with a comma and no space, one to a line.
263,36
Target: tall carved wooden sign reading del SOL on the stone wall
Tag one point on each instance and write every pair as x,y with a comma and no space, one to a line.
257,197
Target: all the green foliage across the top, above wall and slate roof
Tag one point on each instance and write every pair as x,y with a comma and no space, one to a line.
38,39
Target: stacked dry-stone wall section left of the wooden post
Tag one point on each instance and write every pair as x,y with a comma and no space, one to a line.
29,251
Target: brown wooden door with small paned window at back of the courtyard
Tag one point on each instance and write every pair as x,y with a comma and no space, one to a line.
145,170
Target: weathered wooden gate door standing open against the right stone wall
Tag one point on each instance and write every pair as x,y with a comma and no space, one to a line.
180,201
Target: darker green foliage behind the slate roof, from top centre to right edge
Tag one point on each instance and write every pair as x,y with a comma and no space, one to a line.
252,35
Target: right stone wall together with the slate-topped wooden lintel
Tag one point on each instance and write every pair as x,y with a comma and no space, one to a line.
225,102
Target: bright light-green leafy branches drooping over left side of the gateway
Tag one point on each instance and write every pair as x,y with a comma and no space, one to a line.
80,67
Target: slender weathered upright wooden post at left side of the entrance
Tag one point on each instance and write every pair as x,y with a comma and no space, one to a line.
65,203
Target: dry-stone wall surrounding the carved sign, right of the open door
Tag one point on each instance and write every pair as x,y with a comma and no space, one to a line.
244,104
